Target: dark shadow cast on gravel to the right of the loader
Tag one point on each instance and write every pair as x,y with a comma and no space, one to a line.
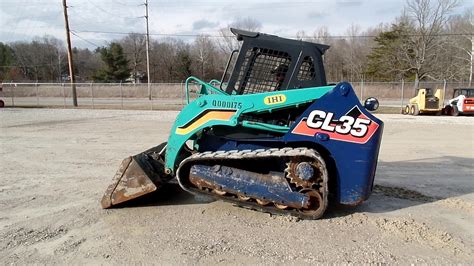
404,184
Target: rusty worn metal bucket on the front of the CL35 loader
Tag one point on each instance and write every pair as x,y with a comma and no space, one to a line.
138,175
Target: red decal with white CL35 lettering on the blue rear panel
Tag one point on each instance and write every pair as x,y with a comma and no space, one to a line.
352,127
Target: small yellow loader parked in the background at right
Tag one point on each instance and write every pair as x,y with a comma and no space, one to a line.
425,102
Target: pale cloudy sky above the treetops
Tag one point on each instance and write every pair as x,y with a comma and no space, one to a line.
27,19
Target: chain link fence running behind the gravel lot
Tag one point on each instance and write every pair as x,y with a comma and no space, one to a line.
171,96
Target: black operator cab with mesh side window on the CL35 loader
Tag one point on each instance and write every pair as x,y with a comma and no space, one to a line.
270,63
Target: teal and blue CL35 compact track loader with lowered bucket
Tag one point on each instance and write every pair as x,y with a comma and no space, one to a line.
273,136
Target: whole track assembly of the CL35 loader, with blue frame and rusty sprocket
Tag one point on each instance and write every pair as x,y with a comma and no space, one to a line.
235,176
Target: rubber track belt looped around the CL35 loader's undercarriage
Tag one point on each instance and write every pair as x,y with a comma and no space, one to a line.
249,154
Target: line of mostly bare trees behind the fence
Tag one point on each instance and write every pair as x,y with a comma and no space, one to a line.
426,42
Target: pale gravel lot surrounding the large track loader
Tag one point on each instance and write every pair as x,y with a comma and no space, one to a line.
55,164
